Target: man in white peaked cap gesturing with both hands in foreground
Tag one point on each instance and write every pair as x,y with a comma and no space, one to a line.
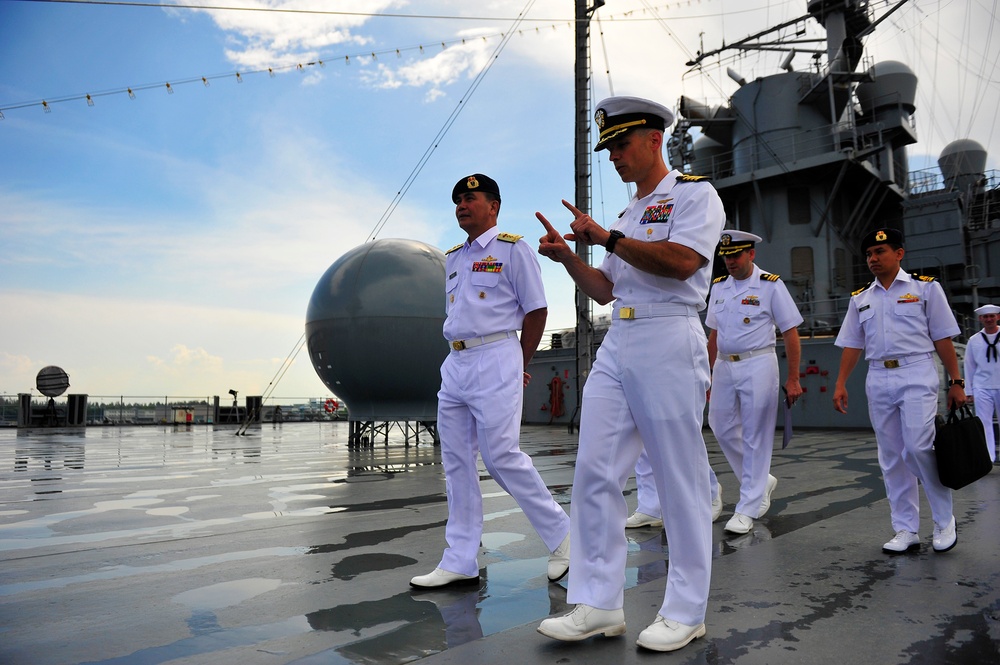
648,383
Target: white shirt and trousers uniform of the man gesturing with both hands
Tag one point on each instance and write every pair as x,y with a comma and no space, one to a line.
647,388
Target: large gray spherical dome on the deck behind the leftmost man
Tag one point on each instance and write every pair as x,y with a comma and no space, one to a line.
373,330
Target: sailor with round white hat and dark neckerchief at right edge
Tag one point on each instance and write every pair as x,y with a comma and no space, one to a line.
982,371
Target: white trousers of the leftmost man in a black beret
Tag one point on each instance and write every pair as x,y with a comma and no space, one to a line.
479,412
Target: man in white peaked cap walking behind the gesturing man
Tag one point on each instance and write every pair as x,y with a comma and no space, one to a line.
744,307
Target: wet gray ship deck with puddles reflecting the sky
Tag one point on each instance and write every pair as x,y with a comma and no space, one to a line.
156,545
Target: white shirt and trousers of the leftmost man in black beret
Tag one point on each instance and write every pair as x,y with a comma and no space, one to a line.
491,283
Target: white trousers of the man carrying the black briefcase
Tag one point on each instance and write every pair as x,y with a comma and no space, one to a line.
902,404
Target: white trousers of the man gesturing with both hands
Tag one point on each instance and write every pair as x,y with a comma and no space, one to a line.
647,388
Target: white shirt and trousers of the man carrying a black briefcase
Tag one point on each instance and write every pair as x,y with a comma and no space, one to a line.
899,326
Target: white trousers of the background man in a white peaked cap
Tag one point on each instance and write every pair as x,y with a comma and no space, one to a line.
742,413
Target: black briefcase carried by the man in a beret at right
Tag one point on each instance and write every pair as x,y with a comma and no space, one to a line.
960,448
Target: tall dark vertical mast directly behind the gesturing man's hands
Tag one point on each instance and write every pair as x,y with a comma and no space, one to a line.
582,156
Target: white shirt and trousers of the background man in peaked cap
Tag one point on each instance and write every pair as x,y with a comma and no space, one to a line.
744,403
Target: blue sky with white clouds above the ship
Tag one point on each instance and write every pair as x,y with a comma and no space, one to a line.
166,241
